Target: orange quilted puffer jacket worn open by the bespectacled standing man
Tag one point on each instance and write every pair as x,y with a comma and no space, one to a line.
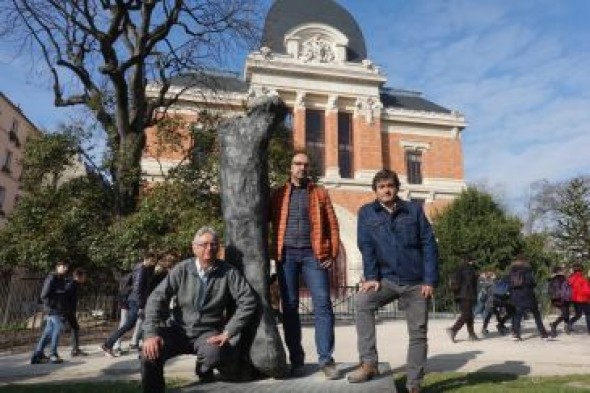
325,235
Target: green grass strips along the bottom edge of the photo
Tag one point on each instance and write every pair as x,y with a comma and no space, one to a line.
435,382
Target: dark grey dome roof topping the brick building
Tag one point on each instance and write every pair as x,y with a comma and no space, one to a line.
284,15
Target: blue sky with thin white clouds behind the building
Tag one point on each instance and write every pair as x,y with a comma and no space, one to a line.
519,70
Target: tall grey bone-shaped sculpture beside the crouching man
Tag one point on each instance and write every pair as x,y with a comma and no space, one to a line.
245,201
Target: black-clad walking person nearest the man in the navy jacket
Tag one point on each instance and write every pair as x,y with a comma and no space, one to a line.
465,296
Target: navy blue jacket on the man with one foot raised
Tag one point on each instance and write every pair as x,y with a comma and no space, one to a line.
400,246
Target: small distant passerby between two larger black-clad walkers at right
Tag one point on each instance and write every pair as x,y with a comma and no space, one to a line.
499,305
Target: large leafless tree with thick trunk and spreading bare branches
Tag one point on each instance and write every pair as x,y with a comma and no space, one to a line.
103,53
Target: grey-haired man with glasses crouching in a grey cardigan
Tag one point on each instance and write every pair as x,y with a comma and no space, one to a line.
203,288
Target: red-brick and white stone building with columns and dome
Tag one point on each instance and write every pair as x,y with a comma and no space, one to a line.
341,112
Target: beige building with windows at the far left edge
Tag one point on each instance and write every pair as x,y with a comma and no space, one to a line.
15,130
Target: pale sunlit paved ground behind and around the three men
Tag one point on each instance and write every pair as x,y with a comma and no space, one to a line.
494,353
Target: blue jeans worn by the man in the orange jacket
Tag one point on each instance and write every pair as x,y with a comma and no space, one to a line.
298,262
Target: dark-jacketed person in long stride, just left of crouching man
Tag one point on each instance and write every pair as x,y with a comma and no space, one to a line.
136,300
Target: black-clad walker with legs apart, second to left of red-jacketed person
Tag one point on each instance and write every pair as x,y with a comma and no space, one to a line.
522,293
